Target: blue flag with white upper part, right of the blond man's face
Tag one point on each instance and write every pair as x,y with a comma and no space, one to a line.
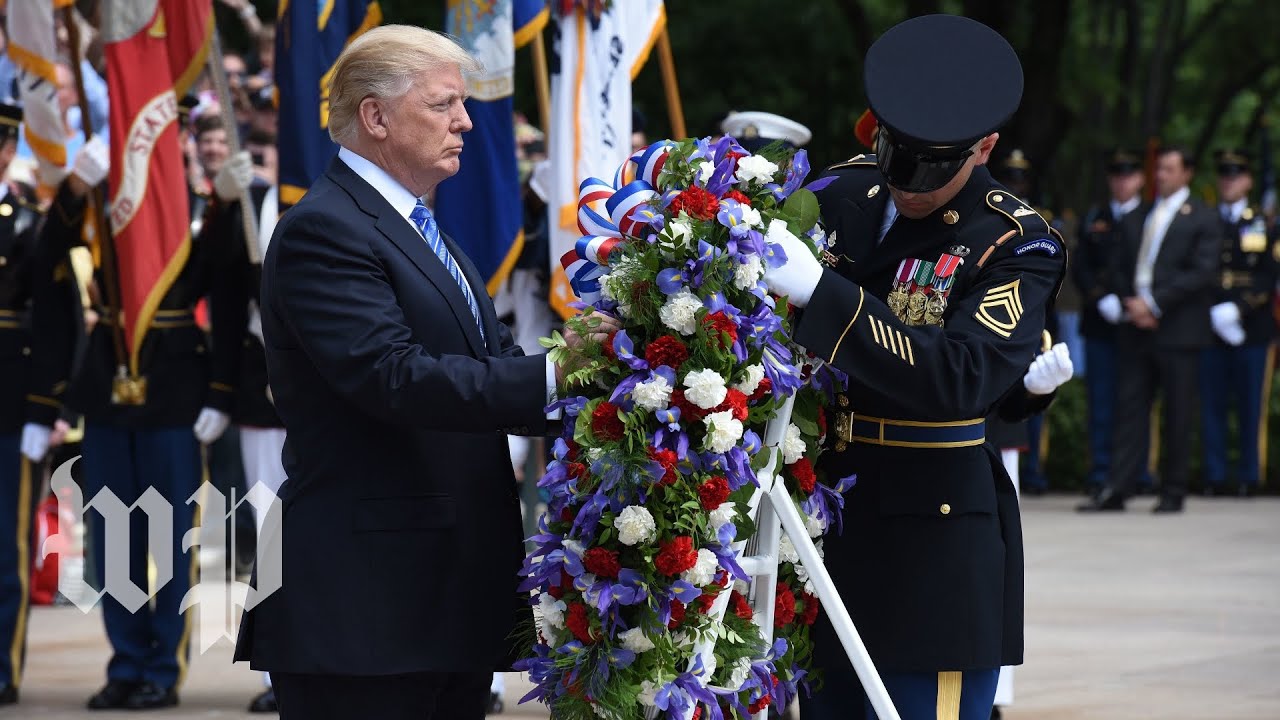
481,207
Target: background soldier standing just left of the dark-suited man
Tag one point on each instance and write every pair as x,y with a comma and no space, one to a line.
1090,272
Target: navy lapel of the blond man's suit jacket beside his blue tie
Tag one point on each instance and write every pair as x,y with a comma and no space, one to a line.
413,245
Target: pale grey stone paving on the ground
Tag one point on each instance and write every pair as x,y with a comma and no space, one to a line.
1130,617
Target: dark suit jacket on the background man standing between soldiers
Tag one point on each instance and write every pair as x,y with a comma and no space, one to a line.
1183,277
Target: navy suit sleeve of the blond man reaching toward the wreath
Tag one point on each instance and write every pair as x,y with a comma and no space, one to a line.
341,309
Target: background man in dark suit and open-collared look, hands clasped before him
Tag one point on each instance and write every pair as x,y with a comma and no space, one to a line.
1164,270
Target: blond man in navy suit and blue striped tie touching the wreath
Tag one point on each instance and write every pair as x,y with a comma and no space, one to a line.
401,539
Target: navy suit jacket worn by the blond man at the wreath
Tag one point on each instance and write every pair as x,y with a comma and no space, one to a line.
401,534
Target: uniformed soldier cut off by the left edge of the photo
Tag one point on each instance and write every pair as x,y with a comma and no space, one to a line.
38,334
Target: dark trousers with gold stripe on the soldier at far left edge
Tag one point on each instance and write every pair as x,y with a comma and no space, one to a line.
20,494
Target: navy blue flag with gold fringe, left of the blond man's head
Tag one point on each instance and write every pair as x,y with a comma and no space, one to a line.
310,35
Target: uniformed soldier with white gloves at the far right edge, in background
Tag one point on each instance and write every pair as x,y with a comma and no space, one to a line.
1236,372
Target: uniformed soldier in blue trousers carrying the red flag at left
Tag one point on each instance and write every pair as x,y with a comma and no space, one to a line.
147,431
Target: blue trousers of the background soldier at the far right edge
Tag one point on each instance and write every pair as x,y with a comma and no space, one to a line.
1240,380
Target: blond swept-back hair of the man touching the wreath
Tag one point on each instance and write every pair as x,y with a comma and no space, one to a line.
383,63
